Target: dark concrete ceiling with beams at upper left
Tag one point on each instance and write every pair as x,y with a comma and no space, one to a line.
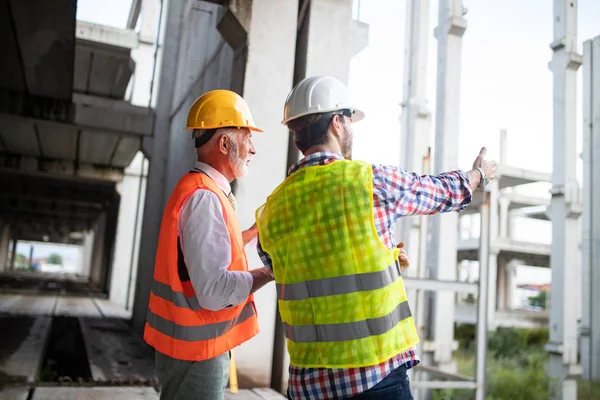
66,132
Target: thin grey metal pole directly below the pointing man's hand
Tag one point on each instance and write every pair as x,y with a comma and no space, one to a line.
482,298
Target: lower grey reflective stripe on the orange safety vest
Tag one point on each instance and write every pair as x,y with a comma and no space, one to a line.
196,333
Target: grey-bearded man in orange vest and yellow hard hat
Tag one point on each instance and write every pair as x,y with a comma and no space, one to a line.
201,304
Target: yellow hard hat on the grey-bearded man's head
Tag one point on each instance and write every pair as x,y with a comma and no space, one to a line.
220,109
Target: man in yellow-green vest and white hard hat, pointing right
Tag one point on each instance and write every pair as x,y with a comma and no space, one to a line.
328,234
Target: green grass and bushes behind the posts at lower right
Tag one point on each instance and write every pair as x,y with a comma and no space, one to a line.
516,368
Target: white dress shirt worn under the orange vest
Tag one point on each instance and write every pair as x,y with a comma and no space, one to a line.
206,247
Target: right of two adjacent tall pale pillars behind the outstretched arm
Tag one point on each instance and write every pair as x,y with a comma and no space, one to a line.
451,27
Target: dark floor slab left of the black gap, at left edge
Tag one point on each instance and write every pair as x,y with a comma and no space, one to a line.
22,342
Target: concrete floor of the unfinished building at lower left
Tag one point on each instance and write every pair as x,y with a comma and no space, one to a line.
58,342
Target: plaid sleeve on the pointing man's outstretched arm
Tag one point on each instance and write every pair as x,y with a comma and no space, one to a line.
415,194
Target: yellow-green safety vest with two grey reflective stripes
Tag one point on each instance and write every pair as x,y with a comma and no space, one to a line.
340,292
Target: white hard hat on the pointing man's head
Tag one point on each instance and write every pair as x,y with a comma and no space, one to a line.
318,94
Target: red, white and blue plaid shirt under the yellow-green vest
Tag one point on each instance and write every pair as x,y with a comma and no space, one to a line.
396,193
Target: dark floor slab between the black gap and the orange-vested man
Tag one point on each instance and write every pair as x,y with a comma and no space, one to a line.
116,353
